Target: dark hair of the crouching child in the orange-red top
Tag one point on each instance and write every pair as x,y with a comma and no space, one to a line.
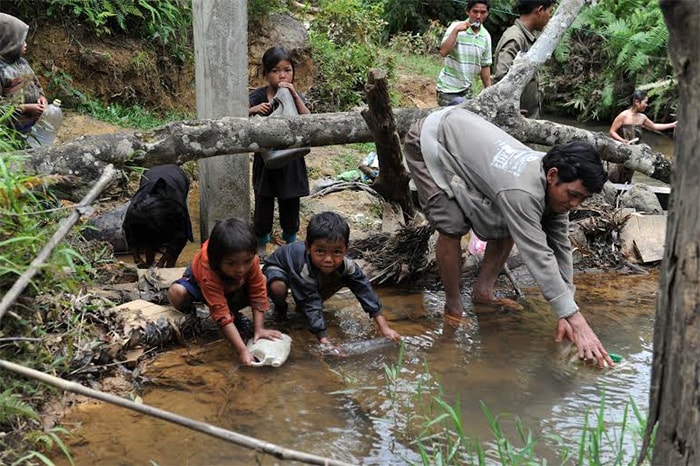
229,237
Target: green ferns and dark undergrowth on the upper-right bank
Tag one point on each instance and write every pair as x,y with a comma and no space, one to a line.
614,48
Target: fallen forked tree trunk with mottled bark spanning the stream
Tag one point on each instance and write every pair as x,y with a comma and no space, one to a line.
179,142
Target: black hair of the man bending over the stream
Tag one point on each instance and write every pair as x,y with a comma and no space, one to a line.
578,160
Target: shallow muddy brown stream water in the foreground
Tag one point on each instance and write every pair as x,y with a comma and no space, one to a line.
341,407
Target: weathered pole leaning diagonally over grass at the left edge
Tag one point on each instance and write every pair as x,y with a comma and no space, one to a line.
18,287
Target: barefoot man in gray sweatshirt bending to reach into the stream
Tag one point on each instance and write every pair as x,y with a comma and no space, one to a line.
471,174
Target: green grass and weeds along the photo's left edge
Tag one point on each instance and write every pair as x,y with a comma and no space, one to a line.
47,334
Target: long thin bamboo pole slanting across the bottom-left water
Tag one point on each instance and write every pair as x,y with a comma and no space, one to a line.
213,431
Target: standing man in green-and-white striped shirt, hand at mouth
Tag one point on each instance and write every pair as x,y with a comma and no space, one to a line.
466,47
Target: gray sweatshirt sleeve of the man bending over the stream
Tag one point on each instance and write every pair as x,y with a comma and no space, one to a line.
523,214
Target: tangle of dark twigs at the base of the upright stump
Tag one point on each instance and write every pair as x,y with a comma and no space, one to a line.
400,257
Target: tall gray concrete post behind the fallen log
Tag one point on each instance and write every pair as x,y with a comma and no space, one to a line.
221,72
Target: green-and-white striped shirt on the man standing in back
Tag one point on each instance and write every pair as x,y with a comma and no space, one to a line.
471,52
